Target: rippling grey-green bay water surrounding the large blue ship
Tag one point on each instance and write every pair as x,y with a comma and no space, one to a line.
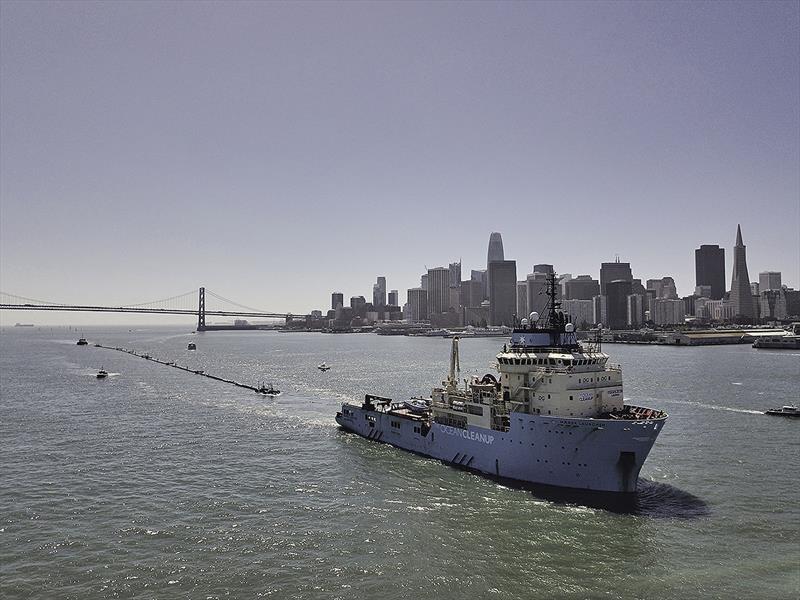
157,483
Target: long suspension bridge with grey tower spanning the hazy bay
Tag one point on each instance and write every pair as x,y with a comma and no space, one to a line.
190,303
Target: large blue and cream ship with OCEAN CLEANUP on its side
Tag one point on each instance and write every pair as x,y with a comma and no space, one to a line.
555,416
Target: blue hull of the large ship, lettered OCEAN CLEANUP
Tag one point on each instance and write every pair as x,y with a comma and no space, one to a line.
585,454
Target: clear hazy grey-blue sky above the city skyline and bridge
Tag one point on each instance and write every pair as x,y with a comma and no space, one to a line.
276,152
